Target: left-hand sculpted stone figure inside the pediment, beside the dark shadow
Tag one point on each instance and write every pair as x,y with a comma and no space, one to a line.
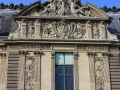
50,8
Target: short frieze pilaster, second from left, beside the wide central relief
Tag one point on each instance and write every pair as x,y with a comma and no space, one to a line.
38,29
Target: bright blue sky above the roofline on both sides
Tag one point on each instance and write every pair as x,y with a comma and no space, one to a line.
98,3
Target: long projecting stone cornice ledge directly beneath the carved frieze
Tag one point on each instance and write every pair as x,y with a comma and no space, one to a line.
53,41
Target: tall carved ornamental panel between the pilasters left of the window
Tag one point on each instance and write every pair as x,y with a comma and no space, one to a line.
29,72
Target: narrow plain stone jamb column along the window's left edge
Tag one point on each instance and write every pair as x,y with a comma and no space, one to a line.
53,71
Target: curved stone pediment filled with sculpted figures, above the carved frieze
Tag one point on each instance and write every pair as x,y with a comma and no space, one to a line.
63,8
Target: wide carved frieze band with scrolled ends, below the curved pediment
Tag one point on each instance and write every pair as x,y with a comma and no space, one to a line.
61,29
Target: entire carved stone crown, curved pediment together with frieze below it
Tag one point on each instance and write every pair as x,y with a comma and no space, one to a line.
62,19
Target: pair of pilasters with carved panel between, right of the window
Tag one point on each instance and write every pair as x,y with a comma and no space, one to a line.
99,70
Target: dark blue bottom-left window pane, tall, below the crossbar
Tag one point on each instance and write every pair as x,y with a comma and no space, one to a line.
59,83
